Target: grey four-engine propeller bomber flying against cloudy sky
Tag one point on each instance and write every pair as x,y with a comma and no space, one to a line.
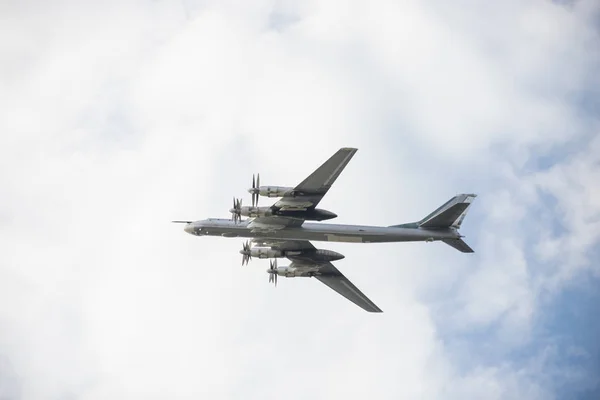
280,230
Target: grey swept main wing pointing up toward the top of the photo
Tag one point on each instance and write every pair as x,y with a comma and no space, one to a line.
311,190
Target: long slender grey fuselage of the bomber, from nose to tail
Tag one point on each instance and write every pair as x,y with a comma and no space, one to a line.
319,232
